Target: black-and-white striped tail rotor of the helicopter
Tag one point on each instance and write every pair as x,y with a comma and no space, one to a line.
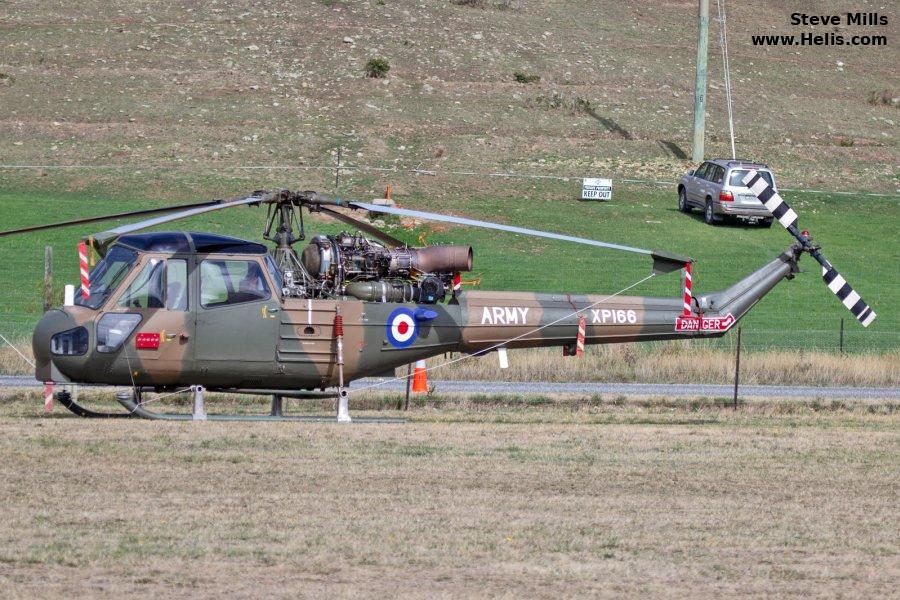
788,218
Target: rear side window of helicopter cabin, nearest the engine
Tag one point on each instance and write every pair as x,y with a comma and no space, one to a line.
224,282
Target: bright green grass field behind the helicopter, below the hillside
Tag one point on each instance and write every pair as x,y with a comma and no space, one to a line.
858,234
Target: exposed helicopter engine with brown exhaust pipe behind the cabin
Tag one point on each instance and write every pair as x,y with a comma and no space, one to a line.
354,265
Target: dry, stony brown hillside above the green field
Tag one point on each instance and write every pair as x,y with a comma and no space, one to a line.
278,82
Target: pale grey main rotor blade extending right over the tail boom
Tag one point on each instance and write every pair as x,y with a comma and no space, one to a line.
663,262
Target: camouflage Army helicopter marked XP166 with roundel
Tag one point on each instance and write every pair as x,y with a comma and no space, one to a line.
163,311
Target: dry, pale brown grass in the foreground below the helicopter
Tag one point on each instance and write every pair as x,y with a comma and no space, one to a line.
683,505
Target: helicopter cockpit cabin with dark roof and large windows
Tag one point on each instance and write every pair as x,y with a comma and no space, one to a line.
159,287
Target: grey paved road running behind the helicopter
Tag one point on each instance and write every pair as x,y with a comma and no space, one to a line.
627,389
